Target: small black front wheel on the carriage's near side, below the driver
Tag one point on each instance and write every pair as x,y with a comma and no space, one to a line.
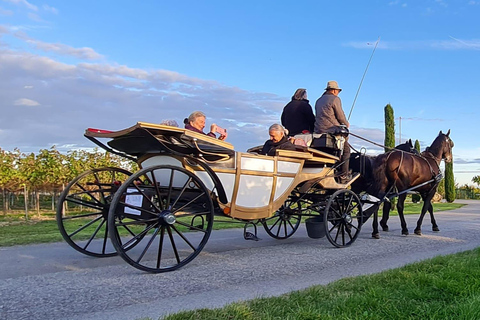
343,218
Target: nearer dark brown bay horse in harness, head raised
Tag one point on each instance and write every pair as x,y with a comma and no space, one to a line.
397,172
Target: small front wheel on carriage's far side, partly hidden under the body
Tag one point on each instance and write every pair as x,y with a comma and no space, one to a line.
286,220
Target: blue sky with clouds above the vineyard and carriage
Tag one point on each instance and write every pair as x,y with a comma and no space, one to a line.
69,65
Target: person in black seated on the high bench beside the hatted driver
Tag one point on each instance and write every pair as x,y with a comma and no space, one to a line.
297,116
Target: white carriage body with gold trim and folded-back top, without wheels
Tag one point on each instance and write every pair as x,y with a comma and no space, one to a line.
255,185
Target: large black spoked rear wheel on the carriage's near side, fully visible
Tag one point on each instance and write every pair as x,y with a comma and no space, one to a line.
170,210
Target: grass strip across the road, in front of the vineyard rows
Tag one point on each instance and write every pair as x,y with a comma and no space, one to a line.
14,230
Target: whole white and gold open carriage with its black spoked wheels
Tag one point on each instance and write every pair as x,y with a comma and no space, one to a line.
160,218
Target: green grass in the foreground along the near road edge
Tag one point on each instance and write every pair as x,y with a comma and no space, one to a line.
445,287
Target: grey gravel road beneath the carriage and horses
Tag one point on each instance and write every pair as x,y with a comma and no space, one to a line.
53,281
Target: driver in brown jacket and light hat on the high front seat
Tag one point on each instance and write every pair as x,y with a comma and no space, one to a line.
329,116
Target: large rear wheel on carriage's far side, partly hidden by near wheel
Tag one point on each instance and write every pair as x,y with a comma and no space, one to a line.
82,210
